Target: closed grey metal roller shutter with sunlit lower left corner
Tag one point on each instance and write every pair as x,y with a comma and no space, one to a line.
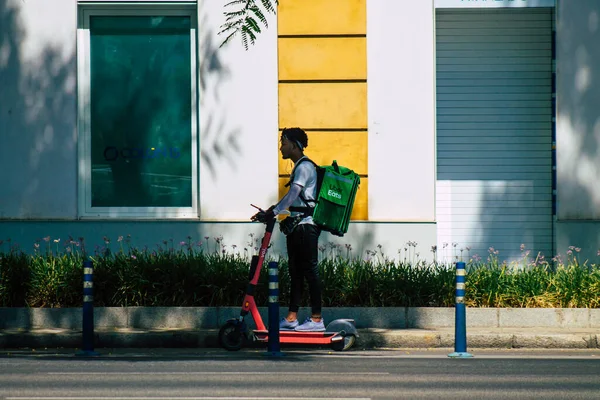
494,132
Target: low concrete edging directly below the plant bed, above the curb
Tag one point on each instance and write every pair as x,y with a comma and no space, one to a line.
197,318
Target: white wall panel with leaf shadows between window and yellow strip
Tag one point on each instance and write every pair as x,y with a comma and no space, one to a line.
238,119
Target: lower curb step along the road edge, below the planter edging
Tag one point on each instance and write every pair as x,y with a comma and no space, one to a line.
368,339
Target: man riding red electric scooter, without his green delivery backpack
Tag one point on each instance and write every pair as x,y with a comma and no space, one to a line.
302,235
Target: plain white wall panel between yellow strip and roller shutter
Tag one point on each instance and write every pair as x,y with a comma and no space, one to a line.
400,56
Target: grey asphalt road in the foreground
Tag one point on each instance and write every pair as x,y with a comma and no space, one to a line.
298,374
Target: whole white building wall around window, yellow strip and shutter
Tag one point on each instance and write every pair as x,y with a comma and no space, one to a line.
38,132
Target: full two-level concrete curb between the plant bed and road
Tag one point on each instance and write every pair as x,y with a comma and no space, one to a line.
385,327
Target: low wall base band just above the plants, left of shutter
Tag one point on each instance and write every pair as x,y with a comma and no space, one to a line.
362,236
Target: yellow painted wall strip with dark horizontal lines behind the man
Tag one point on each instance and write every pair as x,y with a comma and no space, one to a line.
323,84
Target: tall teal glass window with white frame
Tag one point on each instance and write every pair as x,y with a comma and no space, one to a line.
137,111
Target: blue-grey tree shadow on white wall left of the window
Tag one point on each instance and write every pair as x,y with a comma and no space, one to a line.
37,123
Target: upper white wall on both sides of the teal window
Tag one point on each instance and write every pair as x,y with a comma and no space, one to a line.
38,114
